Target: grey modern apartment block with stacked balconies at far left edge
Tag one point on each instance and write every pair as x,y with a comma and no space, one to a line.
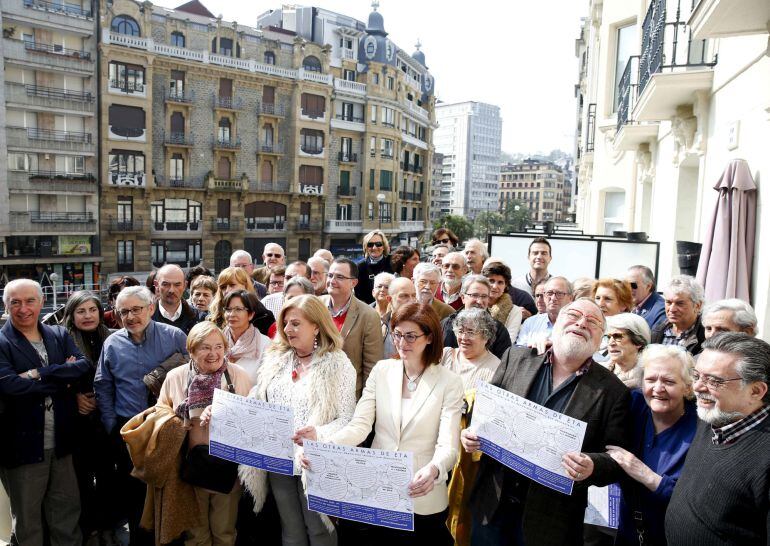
49,213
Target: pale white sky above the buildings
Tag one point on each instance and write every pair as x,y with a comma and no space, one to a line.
516,54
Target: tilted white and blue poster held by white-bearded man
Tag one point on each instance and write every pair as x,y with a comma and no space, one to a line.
526,437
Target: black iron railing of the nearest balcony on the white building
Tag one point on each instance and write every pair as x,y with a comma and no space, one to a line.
668,44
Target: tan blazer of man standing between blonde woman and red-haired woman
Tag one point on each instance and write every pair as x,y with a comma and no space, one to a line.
362,339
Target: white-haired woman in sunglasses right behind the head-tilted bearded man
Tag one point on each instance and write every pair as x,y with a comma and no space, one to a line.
627,335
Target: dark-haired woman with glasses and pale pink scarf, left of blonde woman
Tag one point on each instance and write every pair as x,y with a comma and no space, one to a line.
247,344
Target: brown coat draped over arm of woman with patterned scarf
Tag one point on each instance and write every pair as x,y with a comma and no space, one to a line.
155,438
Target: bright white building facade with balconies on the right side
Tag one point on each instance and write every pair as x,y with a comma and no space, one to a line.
669,92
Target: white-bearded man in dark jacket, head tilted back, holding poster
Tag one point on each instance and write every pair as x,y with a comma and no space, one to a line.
508,508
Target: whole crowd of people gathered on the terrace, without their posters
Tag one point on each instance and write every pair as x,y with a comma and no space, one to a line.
106,418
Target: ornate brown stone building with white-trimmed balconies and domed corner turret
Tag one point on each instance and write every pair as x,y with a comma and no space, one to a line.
219,136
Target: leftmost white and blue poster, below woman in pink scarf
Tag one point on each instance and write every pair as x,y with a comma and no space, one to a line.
252,432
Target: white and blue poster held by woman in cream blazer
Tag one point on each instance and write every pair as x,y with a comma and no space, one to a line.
360,484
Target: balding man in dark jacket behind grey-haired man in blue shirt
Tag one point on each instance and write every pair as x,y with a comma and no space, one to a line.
172,308
